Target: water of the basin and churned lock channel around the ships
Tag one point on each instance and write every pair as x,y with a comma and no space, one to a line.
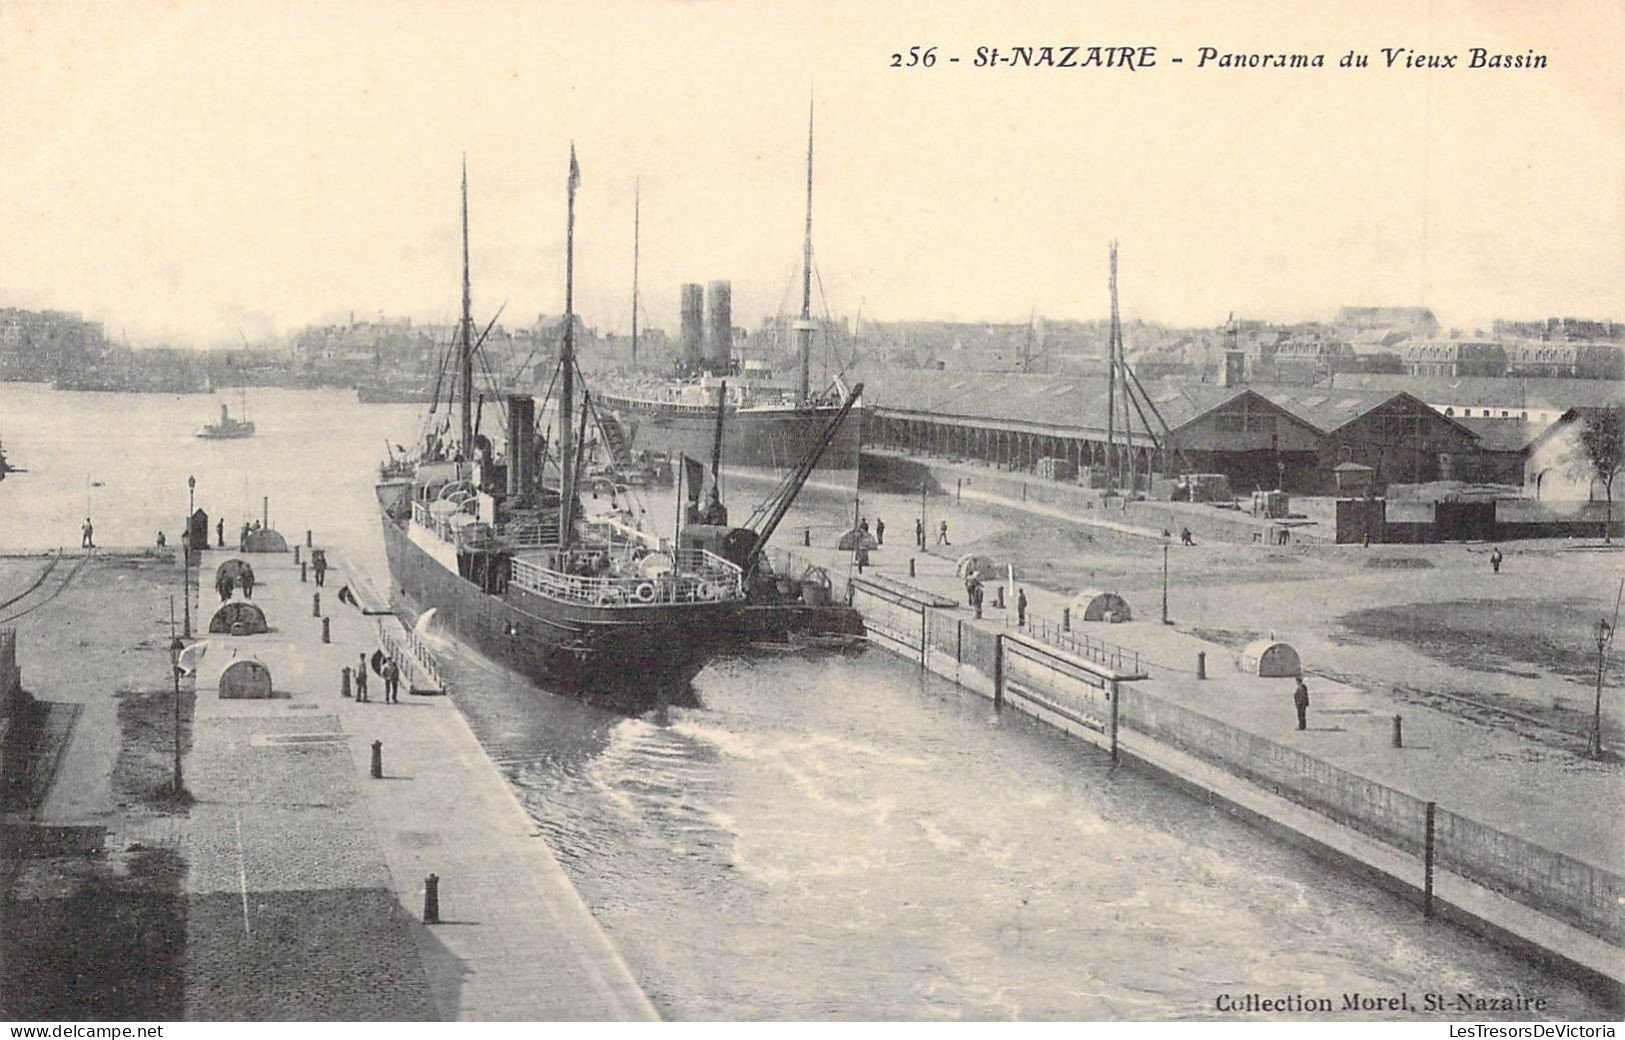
826,836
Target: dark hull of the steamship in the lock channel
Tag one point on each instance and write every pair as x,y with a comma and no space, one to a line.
623,659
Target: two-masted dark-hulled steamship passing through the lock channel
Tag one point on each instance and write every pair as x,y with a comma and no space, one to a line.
513,568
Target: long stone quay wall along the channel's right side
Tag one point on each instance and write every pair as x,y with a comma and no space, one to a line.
979,657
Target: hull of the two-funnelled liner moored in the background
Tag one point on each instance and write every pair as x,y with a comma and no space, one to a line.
773,440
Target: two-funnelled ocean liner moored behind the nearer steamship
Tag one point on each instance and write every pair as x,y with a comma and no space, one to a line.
771,425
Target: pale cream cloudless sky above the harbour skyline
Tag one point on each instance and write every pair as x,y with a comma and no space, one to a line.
207,173
